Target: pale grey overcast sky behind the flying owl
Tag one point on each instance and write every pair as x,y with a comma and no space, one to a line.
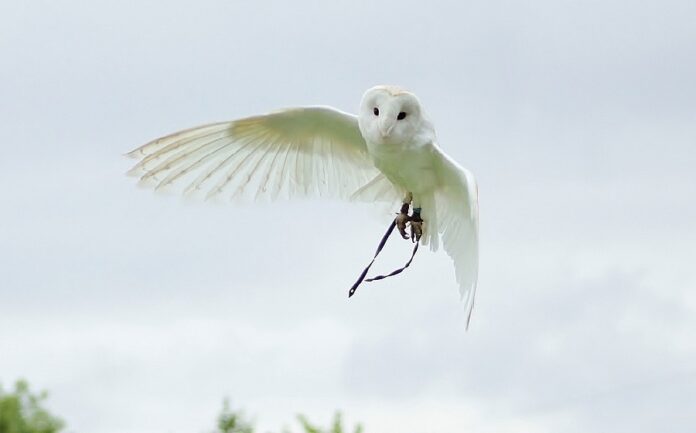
139,312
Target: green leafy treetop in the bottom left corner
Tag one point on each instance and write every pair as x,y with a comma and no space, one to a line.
21,412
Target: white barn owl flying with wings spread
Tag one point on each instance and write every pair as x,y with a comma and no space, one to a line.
387,153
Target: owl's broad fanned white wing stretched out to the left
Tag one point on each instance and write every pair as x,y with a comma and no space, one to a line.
288,153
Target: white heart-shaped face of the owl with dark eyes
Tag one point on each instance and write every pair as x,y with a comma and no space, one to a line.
389,115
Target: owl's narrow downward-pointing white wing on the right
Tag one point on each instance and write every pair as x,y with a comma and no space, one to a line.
457,224
